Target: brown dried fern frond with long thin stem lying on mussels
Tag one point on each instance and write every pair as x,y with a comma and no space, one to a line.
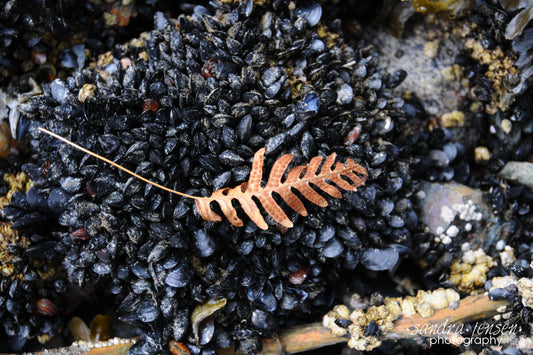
354,173
